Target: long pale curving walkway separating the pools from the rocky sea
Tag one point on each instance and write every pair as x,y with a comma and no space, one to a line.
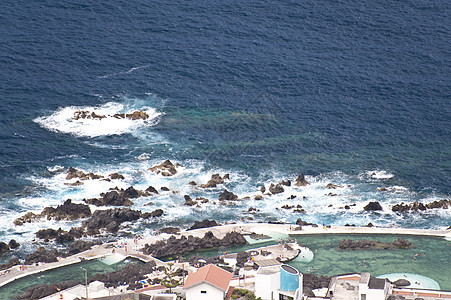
130,247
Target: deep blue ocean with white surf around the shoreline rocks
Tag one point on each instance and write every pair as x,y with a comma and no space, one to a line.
354,93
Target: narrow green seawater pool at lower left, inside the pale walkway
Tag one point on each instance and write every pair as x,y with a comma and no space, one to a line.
72,272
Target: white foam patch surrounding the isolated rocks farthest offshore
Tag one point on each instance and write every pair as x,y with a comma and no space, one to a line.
62,120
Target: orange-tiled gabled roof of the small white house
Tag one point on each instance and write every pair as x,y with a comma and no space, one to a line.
210,274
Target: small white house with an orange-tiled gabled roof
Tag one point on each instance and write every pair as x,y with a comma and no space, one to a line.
208,283
